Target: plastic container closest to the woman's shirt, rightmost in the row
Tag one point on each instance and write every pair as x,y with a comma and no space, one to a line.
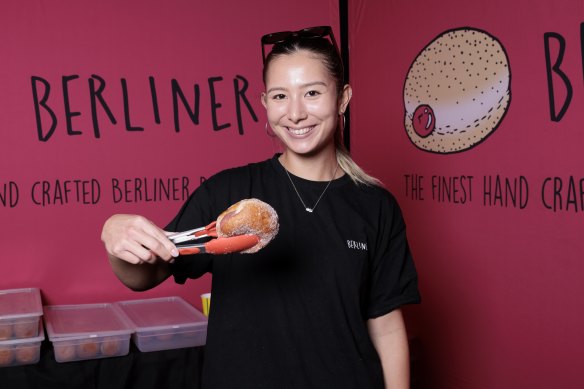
165,323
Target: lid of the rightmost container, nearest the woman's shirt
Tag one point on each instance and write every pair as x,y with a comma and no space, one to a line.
161,313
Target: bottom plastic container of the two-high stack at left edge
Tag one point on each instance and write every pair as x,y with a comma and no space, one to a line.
25,351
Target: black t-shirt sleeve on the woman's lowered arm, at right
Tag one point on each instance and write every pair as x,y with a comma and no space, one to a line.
393,277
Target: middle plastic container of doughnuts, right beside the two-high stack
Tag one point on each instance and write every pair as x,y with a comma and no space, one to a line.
87,331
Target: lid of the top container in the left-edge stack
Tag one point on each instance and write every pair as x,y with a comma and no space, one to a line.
18,303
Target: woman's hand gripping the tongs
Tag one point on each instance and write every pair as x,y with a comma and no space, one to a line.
135,239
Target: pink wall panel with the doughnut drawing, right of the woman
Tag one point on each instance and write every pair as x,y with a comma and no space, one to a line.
501,282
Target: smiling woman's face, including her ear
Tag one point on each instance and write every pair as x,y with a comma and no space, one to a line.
302,103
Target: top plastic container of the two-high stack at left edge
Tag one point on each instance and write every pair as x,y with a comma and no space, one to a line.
20,313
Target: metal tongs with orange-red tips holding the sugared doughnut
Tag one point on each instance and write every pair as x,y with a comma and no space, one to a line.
183,241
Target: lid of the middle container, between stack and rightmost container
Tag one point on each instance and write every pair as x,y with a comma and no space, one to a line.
85,320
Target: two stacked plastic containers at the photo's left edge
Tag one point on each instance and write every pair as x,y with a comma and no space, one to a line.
21,327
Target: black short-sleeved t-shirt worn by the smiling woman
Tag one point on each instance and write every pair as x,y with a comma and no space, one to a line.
293,315
